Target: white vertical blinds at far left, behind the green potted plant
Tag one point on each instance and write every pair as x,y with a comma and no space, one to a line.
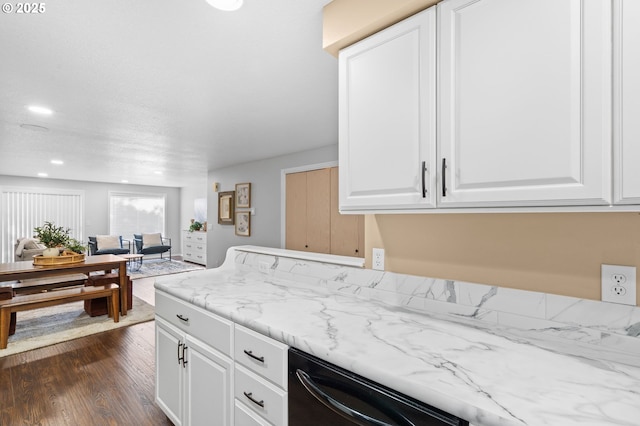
26,208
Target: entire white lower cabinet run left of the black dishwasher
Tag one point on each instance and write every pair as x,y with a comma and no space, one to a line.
197,380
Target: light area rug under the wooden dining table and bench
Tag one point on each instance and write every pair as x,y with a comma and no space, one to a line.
48,326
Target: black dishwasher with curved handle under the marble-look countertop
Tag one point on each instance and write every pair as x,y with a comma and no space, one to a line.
323,394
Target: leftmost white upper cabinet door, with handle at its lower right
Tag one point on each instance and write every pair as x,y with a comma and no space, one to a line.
387,118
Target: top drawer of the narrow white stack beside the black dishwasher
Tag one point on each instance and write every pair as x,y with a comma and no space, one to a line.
261,354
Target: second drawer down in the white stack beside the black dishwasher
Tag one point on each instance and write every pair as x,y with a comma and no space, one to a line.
260,396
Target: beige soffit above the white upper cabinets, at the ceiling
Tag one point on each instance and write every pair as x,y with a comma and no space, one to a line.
346,21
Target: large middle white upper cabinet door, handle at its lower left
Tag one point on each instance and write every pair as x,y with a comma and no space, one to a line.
525,95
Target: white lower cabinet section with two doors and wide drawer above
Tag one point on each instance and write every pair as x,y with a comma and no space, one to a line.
193,364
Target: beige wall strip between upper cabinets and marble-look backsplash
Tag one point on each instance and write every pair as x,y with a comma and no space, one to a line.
558,253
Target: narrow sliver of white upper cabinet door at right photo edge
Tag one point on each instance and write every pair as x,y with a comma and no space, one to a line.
626,101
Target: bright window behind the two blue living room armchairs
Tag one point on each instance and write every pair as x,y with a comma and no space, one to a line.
134,213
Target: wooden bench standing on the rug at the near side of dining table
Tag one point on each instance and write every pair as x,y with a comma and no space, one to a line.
59,297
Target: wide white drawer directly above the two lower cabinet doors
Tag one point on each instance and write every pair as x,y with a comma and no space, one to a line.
209,328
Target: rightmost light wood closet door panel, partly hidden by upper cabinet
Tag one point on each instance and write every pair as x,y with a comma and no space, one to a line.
347,231
